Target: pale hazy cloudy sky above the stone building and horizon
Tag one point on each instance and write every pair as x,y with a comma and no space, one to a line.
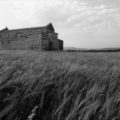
80,23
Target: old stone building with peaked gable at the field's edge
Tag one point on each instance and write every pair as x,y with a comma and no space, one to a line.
43,38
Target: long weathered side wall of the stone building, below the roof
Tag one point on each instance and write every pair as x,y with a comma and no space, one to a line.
22,39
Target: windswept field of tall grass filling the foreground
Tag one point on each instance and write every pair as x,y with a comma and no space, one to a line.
59,85
